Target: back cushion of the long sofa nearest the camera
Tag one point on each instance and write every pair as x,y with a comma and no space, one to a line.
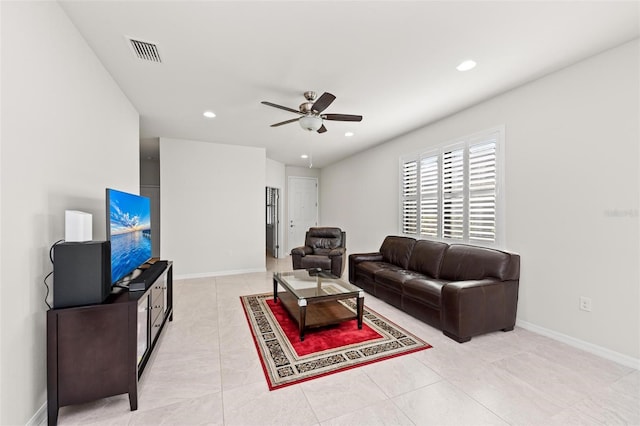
463,262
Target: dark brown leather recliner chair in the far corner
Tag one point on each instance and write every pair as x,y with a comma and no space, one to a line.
324,248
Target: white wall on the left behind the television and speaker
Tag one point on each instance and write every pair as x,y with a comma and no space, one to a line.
67,133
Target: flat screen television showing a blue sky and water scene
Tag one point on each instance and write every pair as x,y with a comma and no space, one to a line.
129,230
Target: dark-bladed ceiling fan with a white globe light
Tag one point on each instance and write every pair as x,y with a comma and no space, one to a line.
311,117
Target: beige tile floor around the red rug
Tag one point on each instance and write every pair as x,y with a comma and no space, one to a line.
206,371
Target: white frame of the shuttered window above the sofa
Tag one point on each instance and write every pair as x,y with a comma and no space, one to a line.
436,153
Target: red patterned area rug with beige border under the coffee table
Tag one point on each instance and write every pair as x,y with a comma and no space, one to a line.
328,350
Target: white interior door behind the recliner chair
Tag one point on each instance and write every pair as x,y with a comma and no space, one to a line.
303,208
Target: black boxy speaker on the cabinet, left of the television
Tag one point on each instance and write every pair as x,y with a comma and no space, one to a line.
81,273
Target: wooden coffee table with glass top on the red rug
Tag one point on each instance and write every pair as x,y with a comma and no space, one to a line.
311,298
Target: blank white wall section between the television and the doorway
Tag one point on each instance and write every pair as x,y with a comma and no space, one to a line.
213,203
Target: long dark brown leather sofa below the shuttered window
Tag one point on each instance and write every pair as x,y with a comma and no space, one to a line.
463,290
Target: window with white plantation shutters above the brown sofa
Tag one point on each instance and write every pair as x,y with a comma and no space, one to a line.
452,192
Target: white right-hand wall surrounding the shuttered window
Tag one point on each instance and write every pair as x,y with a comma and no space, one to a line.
572,194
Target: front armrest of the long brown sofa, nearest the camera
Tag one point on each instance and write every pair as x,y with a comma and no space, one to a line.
473,307
